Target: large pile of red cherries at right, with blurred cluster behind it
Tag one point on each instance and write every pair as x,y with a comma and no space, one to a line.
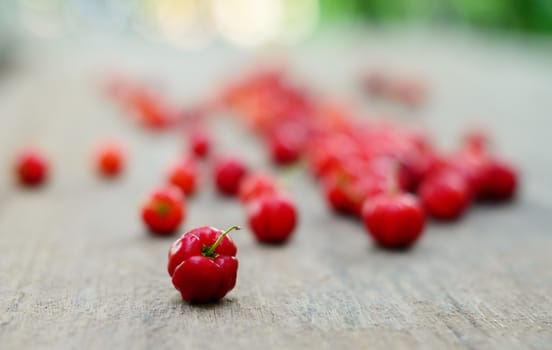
389,175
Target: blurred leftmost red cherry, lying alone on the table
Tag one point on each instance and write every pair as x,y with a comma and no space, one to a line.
31,167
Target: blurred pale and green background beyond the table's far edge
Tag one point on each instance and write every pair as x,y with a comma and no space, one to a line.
253,23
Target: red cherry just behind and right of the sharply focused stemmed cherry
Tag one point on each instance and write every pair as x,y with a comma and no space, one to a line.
272,218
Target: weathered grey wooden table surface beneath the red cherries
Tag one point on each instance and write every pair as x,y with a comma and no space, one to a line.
77,269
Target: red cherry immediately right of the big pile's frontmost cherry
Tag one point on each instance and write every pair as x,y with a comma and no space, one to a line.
446,195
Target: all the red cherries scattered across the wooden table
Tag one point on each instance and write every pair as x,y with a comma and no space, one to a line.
388,175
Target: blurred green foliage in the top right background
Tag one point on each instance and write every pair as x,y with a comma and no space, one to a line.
534,16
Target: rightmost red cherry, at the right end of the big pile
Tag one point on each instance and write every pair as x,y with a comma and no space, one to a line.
500,181
